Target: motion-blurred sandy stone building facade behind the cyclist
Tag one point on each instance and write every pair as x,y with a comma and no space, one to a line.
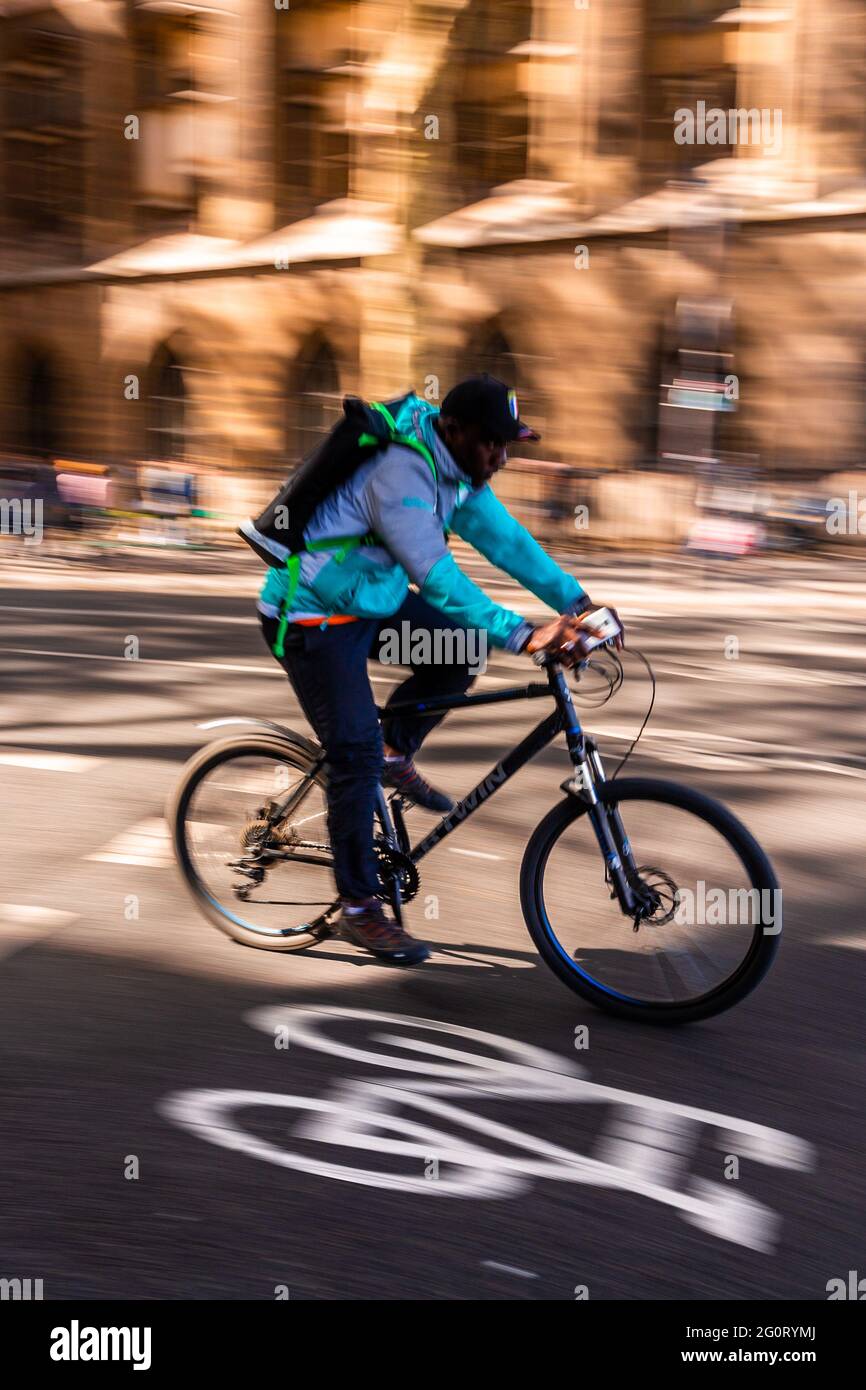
219,219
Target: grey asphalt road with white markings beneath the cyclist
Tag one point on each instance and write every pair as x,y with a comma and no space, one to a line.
561,1168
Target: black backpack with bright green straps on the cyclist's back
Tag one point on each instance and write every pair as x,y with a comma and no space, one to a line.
277,534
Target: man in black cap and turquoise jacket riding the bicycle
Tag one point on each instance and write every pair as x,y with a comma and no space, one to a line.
343,605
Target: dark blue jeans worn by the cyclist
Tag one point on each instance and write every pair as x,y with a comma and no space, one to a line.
329,672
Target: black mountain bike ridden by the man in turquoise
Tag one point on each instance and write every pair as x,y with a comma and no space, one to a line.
646,897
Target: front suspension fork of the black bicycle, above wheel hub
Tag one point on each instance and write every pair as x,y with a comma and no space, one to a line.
589,776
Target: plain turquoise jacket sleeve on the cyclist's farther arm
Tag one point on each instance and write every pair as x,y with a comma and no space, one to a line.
490,528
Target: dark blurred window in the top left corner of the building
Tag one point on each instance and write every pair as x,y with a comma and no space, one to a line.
44,126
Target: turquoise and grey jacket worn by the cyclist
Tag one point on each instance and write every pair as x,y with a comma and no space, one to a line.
397,498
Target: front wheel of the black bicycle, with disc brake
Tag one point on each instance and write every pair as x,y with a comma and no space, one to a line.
718,922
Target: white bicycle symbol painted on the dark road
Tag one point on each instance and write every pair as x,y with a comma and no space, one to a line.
643,1146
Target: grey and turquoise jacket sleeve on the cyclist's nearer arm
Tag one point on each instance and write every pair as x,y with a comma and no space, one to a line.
401,502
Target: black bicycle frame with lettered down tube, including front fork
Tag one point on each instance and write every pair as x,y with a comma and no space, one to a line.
589,776
